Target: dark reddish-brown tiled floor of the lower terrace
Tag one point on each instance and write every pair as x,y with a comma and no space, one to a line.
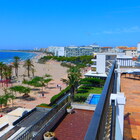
74,126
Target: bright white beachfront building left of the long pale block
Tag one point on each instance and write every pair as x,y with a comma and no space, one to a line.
57,51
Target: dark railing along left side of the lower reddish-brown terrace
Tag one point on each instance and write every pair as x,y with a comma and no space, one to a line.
39,127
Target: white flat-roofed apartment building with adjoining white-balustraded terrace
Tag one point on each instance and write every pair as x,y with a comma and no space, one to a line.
103,61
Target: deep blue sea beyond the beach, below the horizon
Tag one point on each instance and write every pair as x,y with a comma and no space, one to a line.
7,57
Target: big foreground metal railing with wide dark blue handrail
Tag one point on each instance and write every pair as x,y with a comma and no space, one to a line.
96,129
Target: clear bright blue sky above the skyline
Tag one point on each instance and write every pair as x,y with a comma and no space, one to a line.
28,24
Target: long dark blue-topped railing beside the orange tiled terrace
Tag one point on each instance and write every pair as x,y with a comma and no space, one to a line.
103,123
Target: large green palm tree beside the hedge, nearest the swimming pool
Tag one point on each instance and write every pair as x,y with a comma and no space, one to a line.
73,80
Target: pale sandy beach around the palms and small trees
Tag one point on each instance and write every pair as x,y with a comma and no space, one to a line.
51,67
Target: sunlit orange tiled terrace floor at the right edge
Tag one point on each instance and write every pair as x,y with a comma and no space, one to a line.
131,89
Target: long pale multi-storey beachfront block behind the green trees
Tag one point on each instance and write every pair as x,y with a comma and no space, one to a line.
81,50
